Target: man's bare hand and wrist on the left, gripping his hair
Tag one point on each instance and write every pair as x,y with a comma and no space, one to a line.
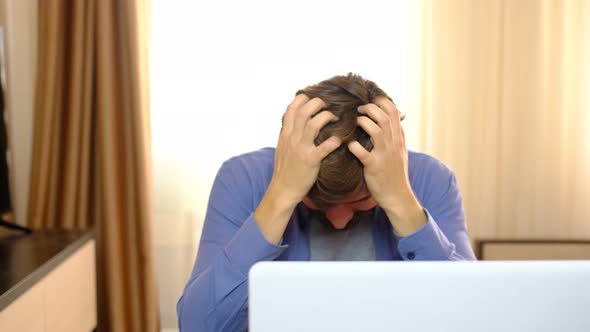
297,163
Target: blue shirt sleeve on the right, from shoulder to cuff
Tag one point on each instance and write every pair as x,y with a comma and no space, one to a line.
444,237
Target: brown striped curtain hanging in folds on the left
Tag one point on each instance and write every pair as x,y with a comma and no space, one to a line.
91,154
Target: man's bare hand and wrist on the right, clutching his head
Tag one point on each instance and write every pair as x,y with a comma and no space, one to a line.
386,166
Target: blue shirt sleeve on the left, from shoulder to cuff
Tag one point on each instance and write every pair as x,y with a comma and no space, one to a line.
216,295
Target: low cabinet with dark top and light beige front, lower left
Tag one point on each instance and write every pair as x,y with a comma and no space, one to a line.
48,281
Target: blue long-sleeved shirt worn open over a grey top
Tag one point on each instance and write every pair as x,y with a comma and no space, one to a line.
216,295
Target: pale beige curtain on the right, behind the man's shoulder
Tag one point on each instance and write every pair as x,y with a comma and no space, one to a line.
505,90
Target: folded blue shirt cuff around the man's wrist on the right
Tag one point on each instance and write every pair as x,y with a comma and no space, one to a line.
428,243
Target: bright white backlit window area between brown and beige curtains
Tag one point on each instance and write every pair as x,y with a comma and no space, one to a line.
221,81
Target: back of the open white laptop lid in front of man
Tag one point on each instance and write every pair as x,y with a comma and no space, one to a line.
490,296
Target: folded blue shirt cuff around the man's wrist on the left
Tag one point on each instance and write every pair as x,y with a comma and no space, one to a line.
249,246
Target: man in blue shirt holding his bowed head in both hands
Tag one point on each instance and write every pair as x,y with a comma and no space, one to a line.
340,185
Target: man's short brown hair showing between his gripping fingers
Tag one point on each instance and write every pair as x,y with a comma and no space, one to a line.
341,173
